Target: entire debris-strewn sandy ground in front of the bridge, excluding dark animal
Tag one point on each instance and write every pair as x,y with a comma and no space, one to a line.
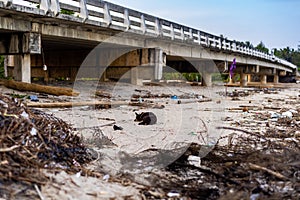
208,143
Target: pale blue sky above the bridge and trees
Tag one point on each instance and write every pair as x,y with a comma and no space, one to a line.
276,23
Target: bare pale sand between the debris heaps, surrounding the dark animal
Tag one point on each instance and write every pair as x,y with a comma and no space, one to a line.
178,126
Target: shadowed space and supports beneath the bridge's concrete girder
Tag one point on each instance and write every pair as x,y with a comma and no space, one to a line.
70,59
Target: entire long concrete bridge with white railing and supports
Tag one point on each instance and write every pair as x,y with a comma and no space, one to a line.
94,38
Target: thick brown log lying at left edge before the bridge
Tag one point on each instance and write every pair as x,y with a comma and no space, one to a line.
21,86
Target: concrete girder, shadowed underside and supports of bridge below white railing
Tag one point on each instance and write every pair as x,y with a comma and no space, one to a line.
50,50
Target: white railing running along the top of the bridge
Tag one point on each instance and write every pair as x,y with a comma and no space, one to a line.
106,14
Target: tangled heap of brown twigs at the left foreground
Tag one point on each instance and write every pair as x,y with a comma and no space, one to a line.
31,140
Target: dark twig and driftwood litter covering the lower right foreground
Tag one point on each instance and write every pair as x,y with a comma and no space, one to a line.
251,166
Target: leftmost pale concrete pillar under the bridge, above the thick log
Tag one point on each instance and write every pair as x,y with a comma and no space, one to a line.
22,68
